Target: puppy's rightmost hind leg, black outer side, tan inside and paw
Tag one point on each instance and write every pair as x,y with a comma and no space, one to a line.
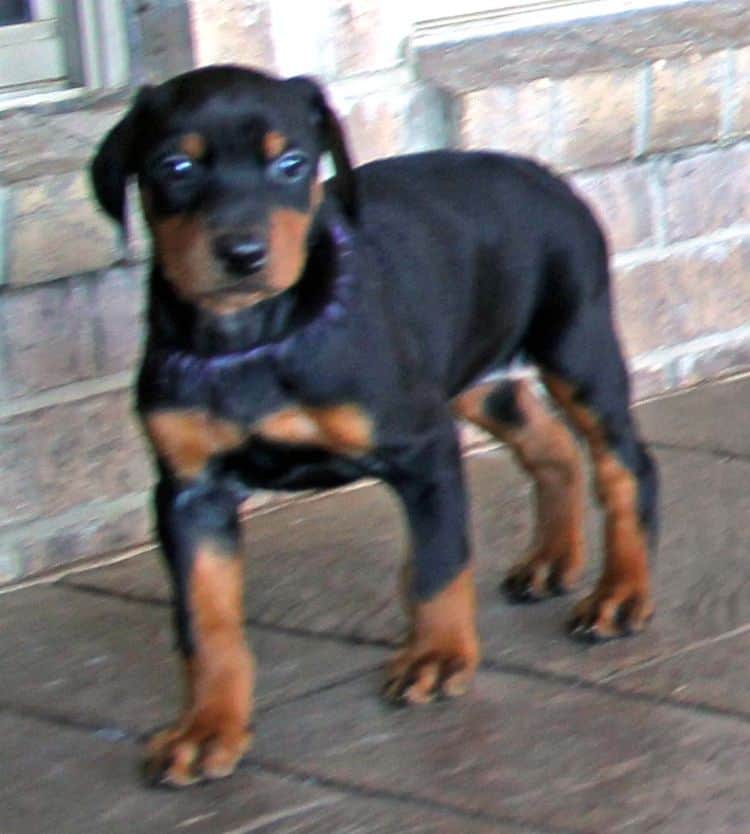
585,373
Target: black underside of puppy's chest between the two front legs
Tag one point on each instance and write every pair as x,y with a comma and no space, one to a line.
263,465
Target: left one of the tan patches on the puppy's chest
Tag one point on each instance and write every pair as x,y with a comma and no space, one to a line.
187,440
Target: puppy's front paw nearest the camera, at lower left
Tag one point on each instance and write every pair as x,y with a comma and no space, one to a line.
191,752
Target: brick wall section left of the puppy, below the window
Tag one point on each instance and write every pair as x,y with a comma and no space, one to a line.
74,473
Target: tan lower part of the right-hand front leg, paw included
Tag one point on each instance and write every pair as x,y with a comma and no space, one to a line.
442,652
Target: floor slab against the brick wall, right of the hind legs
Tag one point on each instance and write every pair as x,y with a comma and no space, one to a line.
708,417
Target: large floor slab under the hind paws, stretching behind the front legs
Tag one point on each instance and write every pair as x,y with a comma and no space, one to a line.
330,566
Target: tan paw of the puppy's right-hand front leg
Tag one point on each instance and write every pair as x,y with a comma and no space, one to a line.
416,676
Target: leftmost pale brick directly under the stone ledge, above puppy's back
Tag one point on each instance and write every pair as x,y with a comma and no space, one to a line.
516,119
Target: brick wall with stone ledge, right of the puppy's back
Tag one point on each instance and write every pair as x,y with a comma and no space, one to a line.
648,116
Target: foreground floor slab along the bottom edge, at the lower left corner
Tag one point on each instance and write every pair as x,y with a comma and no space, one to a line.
56,780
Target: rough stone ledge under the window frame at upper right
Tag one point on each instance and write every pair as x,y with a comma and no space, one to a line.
487,50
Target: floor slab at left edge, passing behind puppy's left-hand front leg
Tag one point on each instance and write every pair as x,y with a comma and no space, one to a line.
104,663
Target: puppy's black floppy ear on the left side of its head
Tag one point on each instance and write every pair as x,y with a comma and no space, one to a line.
115,162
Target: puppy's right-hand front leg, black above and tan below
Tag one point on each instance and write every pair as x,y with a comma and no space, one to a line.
442,649
